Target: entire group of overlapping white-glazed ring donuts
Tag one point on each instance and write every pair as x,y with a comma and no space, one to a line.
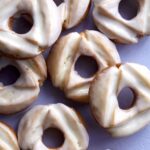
24,52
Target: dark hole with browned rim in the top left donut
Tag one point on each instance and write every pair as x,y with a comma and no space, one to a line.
21,22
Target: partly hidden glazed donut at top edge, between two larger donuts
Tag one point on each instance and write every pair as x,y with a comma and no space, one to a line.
73,12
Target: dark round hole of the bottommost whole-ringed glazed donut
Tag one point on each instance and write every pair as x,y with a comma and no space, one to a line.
53,138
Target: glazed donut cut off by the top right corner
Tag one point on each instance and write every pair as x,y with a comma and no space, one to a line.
109,21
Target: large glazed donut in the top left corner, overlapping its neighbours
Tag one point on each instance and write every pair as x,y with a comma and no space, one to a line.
43,33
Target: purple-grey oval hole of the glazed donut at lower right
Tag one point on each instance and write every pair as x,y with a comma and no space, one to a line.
126,98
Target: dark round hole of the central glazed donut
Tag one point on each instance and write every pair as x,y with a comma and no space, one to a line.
86,66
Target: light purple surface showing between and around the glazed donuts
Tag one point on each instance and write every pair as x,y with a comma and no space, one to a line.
99,138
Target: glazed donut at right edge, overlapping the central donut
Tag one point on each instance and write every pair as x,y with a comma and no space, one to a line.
104,104
